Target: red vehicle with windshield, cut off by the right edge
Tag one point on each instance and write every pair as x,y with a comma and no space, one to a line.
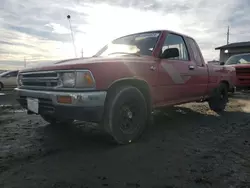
241,62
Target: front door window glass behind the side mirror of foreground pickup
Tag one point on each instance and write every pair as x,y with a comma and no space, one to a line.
176,41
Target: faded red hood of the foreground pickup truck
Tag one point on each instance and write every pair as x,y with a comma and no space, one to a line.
86,62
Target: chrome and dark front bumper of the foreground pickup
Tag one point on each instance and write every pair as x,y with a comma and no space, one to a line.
85,106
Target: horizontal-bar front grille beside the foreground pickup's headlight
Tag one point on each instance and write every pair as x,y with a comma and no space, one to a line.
40,79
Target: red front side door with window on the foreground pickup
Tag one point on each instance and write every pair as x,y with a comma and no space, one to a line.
174,73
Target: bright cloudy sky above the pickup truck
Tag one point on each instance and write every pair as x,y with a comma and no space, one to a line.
38,31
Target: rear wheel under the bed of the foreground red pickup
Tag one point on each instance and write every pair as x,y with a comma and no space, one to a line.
219,98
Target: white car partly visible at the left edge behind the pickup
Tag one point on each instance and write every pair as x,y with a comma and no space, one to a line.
8,80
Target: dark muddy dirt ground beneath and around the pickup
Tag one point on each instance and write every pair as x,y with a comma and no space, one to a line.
188,146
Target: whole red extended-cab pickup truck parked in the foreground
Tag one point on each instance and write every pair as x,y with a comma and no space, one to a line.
121,85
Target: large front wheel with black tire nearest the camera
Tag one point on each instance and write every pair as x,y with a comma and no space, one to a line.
125,114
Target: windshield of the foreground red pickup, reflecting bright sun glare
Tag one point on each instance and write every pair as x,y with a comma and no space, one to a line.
138,44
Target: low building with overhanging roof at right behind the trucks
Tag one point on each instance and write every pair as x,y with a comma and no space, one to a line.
228,50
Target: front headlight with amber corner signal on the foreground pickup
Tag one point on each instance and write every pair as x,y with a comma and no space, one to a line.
77,79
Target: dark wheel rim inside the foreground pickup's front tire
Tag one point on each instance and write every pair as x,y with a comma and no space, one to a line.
129,118
